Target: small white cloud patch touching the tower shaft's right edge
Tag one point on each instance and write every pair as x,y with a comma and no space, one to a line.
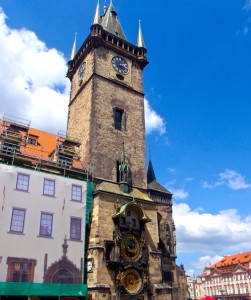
153,121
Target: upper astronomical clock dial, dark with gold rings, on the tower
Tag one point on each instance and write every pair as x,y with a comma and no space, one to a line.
131,248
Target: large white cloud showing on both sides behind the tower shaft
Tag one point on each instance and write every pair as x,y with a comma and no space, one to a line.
33,83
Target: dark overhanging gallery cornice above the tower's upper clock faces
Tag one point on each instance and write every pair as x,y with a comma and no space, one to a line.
98,38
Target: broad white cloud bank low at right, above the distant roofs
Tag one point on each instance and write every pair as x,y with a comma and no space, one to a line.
198,231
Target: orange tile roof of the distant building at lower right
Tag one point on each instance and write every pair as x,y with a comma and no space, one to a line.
235,259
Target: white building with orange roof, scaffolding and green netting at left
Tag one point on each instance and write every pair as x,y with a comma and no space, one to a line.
43,215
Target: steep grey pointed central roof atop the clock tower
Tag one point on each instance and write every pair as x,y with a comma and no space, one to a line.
110,22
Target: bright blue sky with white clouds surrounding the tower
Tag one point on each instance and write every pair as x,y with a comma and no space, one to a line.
198,97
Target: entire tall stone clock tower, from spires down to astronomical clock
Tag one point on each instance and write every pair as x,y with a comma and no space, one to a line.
131,239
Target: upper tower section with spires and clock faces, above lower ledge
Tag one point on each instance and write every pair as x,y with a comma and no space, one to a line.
107,102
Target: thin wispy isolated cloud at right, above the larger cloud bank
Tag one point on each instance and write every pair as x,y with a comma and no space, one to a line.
229,178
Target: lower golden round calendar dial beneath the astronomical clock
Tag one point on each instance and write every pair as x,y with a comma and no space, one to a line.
132,281
